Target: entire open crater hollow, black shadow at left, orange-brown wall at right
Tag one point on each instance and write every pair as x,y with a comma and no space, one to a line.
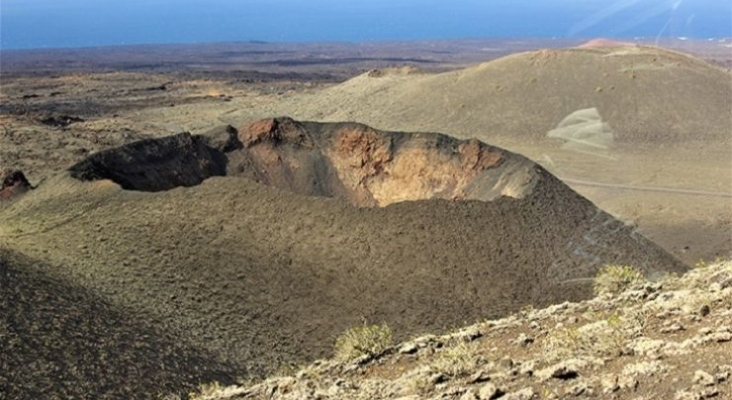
354,162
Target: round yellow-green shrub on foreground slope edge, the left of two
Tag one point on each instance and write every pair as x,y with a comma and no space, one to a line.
363,340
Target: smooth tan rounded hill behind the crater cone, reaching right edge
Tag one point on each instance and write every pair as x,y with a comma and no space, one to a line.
641,131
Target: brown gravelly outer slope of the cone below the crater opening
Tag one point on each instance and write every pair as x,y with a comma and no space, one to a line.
258,277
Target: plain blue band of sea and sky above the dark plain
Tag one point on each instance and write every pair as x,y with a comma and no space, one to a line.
85,23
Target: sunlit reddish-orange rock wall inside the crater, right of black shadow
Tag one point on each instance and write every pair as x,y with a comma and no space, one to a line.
369,167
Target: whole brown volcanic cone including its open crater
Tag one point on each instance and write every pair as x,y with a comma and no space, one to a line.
259,245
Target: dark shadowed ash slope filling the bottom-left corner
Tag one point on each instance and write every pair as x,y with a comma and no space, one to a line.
60,341
